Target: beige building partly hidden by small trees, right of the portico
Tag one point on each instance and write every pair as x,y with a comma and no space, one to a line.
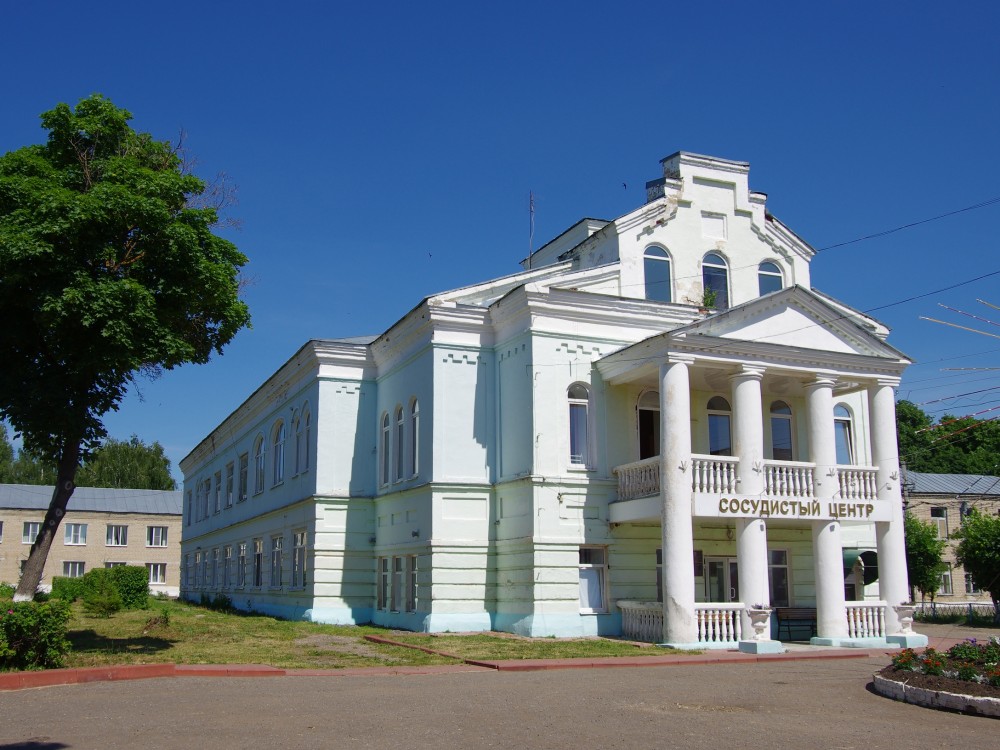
942,500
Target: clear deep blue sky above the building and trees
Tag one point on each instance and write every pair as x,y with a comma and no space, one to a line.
386,152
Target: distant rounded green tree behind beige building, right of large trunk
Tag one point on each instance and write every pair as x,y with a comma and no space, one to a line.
127,465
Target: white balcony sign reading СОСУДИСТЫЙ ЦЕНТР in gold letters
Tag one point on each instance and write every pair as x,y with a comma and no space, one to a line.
712,506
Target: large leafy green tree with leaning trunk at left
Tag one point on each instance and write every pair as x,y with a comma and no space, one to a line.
108,269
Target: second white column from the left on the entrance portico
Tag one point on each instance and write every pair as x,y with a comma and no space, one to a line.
748,446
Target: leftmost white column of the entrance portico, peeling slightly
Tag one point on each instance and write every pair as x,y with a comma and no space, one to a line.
679,620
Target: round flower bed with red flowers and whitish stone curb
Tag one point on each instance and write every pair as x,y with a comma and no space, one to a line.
968,668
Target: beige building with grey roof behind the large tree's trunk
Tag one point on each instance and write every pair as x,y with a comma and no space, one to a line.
102,528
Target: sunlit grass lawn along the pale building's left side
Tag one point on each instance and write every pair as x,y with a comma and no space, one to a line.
183,633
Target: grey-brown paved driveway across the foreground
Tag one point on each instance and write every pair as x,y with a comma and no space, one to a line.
789,702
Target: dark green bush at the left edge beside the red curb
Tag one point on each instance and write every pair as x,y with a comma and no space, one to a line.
33,635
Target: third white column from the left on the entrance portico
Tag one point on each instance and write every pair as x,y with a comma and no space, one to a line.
828,554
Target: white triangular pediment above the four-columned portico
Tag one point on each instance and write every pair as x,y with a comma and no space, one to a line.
795,317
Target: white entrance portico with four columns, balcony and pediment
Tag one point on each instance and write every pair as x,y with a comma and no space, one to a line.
752,434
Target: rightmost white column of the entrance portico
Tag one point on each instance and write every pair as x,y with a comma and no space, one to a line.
893,585
